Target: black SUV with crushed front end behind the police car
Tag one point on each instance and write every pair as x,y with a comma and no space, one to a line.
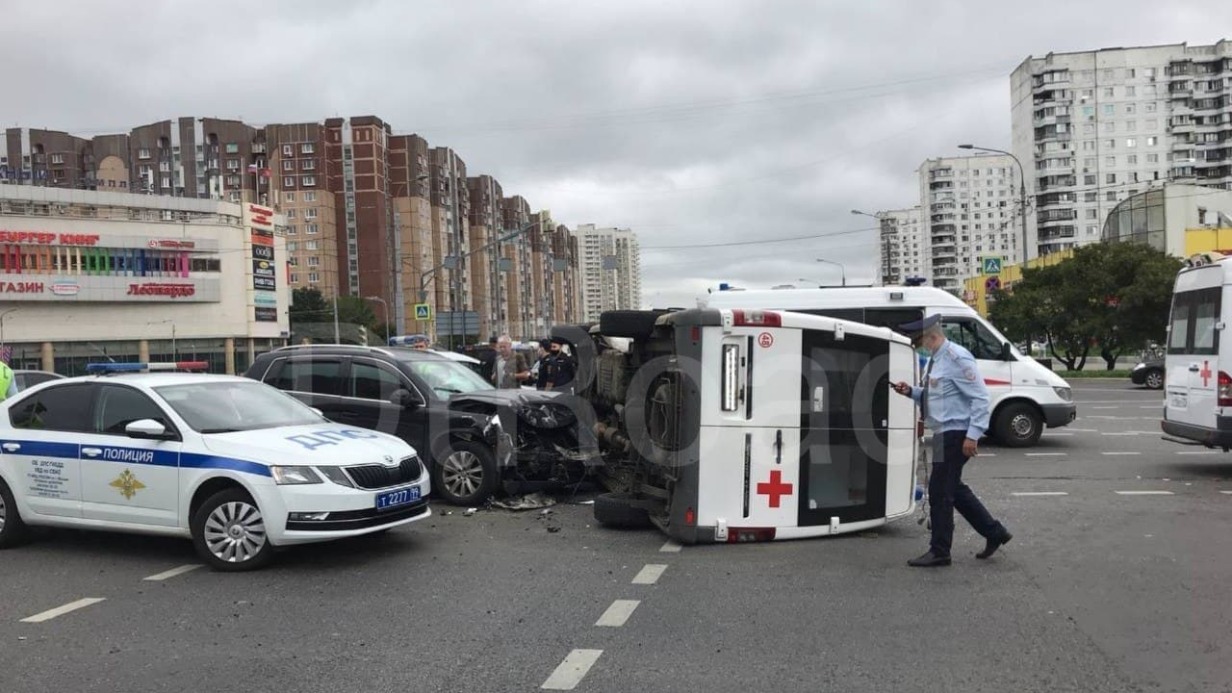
476,441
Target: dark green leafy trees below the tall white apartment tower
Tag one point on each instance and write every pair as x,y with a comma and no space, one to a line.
1108,297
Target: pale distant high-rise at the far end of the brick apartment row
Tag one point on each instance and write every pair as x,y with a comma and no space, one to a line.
612,271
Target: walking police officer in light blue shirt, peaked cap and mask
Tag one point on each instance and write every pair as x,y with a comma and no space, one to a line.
954,404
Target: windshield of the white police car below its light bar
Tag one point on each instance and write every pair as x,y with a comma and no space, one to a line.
231,406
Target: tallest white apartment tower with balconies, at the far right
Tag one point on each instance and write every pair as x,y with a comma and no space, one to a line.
1096,128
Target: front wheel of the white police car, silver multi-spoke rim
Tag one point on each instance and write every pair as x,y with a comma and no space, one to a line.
230,533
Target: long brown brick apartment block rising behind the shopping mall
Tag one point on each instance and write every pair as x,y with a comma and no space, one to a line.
369,214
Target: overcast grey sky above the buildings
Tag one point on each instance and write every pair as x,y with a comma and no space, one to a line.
695,124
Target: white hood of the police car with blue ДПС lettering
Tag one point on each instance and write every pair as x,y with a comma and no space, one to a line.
314,445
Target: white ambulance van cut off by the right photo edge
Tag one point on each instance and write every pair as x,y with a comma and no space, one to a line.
1198,389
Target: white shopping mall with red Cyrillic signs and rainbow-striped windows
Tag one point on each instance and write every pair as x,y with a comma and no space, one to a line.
95,277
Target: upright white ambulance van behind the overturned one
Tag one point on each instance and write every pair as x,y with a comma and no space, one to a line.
1026,396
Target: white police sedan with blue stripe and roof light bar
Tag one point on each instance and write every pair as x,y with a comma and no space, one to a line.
238,467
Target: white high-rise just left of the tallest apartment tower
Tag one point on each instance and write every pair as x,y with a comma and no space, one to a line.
969,208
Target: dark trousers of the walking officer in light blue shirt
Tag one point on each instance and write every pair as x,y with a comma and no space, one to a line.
947,493
